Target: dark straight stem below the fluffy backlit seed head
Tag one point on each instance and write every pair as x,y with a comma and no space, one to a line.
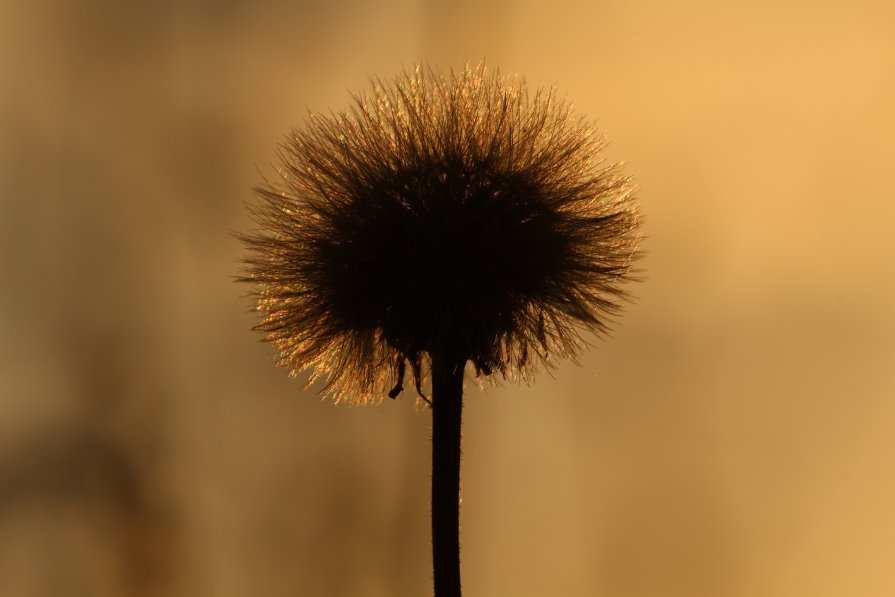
447,407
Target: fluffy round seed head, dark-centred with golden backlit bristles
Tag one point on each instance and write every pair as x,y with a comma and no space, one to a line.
441,214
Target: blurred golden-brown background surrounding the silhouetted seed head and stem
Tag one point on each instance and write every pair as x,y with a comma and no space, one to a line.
735,438
